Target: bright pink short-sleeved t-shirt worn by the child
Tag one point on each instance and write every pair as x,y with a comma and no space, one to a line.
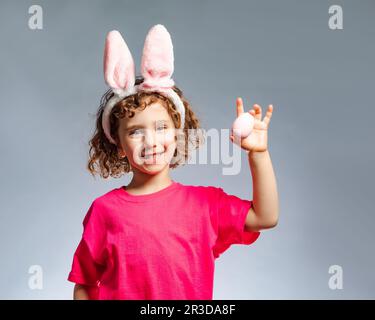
157,246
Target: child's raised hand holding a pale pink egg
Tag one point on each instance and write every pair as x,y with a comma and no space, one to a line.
257,140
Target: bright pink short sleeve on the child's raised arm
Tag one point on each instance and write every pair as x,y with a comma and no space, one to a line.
231,214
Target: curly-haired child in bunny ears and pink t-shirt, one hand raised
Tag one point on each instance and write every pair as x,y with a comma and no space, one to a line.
157,238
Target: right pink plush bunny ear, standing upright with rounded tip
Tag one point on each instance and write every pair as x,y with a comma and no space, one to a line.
157,59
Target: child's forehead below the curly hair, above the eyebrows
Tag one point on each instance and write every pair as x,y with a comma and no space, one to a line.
150,114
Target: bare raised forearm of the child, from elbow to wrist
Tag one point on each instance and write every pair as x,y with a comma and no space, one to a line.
265,196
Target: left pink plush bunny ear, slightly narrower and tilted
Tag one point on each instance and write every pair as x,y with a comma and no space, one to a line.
119,69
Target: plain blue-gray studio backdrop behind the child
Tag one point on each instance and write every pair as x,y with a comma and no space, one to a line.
320,81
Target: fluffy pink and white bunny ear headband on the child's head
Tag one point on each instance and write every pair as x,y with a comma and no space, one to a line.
156,68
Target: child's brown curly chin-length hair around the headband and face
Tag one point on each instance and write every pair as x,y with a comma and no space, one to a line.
103,155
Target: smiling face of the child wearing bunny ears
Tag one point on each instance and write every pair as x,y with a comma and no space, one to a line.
149,131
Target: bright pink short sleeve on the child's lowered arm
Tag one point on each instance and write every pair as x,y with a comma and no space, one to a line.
89,257
